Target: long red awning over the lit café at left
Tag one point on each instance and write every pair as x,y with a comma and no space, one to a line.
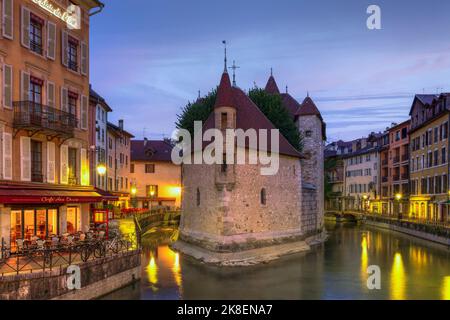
32,196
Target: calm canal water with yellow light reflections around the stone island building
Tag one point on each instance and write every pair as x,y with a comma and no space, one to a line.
410,269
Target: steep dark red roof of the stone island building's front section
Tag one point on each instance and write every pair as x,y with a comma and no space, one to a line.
249,116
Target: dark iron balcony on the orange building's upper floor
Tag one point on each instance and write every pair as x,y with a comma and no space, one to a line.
44,119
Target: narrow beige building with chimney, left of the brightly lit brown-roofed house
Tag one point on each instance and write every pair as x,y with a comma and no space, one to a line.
119,163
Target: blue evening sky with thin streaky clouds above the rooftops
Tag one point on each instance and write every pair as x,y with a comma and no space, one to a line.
149,58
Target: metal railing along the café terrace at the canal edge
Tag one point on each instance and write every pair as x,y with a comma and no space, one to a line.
37,258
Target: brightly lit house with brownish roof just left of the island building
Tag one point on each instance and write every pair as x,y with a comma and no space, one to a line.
156,179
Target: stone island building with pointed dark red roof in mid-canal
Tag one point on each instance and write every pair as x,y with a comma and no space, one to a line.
231,214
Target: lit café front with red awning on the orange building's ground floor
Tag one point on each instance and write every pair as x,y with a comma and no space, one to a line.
43,213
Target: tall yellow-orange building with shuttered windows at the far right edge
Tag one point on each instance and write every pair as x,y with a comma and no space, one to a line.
429,158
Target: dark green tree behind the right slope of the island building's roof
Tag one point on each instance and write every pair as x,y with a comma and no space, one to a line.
272,107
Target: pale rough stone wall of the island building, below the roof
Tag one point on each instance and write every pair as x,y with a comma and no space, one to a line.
231,217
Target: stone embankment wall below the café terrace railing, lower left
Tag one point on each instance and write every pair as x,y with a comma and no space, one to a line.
98,278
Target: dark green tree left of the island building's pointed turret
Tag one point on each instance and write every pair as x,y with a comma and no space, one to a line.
197,111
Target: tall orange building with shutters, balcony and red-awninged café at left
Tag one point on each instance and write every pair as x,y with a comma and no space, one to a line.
44,174
